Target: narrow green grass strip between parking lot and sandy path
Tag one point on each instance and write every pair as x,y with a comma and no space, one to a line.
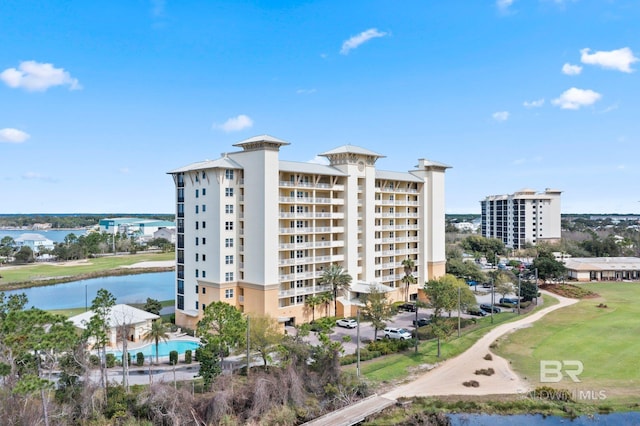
396,367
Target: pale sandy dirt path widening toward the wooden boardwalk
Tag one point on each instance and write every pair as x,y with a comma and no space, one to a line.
447,378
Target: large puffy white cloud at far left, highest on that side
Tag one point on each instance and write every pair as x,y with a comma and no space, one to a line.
37,77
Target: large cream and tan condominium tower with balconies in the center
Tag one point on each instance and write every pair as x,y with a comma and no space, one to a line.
258,232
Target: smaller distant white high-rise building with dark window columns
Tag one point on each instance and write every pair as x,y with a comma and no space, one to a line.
522,218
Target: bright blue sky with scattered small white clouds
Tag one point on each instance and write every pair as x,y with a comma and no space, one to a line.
98,100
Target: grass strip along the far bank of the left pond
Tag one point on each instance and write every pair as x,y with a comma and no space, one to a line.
35,272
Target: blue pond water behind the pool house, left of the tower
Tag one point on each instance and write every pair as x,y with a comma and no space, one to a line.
125,288
